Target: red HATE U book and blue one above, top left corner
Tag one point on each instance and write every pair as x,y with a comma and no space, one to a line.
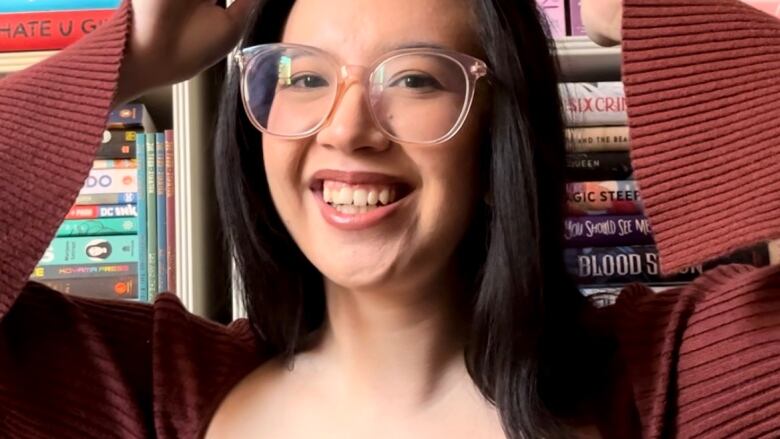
30,25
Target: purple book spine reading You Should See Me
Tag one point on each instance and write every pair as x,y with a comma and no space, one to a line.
607,231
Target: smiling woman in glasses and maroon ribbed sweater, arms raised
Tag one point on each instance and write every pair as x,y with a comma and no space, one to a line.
402,321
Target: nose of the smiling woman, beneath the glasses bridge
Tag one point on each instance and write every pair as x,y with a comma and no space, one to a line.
351,127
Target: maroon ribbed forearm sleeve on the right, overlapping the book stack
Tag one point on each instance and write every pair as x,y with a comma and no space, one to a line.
702,95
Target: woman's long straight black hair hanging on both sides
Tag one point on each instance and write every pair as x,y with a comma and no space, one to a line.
527,350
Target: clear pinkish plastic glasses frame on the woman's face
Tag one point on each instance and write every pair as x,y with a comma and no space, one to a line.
471,68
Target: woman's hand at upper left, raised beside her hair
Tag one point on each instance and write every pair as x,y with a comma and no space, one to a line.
173,40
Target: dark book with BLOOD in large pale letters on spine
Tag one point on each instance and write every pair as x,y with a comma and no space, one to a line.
612,265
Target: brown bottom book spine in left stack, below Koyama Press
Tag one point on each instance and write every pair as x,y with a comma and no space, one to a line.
115,287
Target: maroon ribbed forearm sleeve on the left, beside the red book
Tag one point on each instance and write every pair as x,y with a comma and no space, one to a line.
53,117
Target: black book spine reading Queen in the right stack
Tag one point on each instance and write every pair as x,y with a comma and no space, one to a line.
589,166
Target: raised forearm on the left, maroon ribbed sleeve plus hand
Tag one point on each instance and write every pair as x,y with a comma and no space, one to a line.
68,96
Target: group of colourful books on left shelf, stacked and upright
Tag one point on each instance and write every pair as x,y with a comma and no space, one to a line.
114,241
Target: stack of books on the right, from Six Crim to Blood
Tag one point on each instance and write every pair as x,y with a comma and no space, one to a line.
609,240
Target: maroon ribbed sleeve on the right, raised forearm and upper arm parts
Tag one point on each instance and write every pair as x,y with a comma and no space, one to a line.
703,85
